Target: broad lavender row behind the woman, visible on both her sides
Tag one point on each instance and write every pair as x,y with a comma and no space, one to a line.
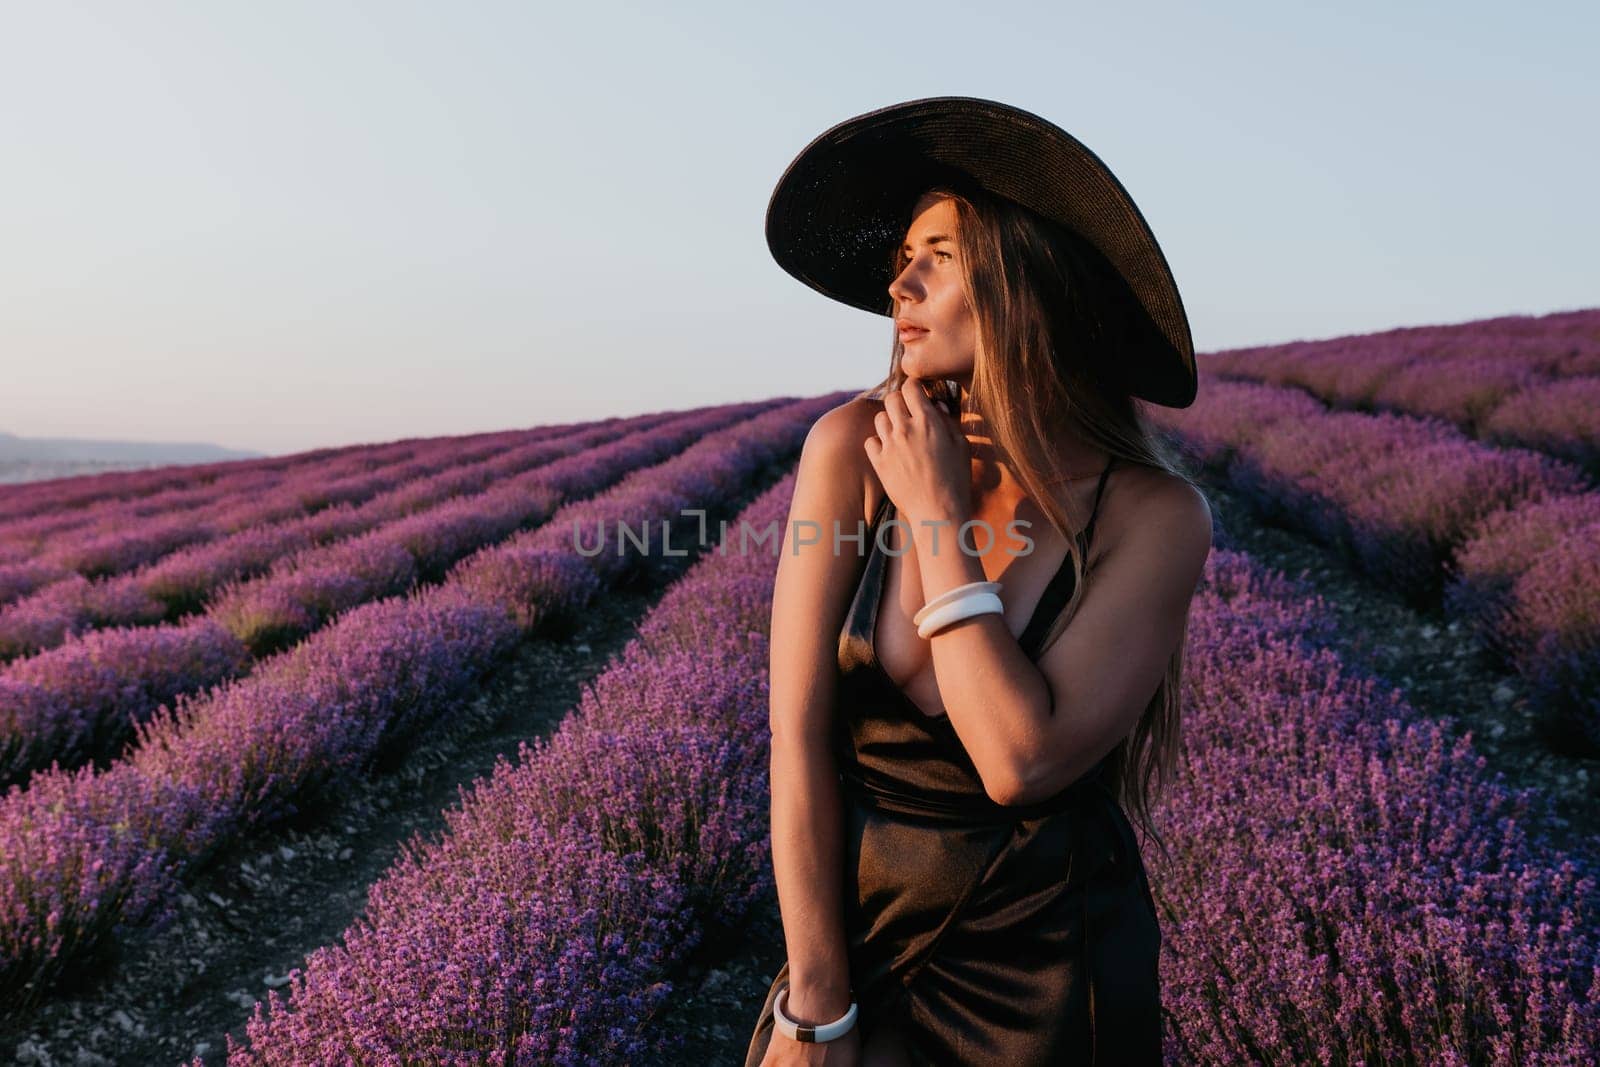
1348,885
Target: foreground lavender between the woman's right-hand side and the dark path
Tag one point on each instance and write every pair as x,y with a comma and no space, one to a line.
1353,887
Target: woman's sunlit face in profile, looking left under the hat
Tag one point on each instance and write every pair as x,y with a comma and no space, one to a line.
929,295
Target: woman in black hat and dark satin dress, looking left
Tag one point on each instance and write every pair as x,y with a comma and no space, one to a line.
953,767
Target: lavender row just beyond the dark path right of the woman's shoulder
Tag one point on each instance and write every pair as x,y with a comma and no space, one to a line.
1506,540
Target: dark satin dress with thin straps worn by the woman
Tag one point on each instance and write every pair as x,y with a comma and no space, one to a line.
990,933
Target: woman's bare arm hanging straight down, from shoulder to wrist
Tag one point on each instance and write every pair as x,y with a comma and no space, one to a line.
810,599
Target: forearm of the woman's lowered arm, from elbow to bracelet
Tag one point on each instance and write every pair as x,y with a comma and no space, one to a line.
807,863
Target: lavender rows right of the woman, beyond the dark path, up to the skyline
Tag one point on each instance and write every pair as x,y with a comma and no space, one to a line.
1500,532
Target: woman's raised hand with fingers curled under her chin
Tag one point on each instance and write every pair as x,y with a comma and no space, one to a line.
922,458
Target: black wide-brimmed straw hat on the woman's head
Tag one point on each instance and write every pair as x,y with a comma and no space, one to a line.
846,204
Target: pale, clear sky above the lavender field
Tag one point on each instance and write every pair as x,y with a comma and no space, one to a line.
282,226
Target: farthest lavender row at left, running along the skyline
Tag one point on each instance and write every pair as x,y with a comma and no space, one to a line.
132,535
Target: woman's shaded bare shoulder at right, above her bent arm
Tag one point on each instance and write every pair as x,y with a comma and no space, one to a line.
1156,514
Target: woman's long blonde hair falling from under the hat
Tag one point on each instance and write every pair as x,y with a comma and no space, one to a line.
1055,324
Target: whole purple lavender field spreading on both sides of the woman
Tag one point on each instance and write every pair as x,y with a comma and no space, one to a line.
353,757
